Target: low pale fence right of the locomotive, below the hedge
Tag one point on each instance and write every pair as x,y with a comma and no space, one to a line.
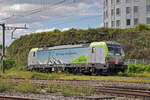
138,61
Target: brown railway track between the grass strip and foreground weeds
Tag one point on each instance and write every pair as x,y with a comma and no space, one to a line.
91,83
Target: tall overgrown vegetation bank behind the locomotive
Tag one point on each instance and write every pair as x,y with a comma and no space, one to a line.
135,41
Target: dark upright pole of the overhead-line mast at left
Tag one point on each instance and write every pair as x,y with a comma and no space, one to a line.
3,49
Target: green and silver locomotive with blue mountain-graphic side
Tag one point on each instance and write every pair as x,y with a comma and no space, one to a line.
94,58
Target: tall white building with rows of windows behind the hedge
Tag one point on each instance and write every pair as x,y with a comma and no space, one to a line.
126,13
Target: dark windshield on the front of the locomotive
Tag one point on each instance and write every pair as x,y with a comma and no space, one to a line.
115,49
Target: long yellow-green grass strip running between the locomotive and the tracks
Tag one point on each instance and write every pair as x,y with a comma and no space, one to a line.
35,75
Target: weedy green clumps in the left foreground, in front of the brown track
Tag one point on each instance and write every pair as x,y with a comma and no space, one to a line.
28,87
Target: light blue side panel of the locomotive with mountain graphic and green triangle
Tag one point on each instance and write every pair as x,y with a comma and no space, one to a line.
63,56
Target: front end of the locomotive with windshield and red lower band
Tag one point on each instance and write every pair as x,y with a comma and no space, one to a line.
116,57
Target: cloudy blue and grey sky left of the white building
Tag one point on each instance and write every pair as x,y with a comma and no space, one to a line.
48,15
